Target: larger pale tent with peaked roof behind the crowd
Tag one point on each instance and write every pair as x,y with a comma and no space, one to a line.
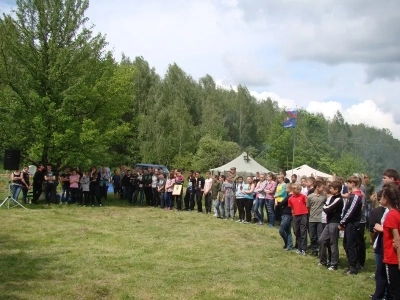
244,164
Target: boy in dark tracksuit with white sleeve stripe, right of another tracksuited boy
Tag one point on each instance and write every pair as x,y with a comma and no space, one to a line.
350,223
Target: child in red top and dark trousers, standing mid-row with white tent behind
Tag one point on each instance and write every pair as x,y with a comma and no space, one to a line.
298,204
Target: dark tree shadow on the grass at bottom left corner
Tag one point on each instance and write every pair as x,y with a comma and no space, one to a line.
19,269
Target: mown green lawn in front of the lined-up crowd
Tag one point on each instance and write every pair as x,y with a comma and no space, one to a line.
122,252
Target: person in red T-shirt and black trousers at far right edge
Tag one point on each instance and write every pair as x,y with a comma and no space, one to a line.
391,228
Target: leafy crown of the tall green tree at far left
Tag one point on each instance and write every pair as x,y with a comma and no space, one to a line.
58,79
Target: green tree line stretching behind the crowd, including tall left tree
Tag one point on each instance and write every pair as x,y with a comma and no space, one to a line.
66,100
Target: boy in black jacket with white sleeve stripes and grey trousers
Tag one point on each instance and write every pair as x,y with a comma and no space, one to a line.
333,210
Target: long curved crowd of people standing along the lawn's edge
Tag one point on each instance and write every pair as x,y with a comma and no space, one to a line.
310,207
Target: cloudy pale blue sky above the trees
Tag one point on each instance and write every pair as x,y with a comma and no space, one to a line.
322,56
